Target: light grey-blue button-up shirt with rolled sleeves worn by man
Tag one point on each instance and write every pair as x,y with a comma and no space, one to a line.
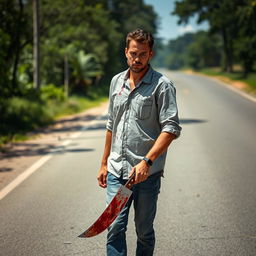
136,119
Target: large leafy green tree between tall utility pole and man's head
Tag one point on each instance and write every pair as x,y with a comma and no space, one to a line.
72,24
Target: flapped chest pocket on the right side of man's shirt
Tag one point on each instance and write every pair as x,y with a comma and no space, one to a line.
143,108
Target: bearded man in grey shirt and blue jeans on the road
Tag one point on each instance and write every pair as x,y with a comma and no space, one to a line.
142,122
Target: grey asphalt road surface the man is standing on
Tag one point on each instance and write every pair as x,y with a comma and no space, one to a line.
207,204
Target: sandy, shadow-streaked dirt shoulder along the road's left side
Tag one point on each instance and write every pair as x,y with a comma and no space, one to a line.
19,156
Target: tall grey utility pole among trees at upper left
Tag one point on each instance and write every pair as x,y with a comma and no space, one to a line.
36,47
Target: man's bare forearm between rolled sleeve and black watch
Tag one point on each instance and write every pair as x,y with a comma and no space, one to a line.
161,145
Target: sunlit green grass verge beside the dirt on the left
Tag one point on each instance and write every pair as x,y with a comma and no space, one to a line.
25,115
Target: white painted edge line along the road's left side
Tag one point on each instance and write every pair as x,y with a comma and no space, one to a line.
23,176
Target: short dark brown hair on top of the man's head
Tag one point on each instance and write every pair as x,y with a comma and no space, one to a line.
141,36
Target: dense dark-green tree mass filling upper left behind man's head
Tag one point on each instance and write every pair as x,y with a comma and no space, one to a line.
96,28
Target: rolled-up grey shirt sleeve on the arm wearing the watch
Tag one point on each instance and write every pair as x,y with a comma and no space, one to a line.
167,109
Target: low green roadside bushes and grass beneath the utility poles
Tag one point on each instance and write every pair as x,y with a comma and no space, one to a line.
23,114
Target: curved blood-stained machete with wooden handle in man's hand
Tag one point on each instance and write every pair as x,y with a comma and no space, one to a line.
112,211
